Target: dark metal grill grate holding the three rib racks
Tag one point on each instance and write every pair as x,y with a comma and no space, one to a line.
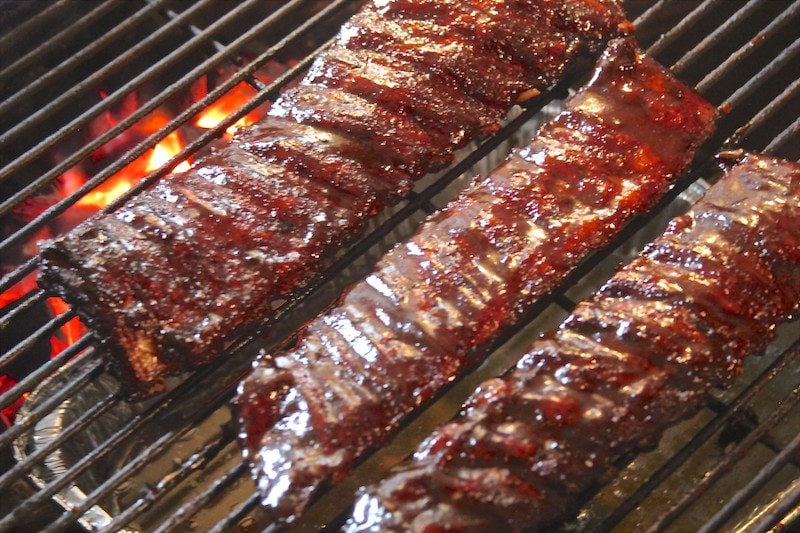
757,82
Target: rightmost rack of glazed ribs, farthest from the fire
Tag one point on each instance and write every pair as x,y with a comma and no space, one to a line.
635,359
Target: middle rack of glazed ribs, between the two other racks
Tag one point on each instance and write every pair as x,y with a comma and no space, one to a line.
434,302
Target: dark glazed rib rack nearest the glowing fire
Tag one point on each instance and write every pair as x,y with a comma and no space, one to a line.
173,275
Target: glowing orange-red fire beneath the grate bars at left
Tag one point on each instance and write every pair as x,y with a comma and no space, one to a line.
118,184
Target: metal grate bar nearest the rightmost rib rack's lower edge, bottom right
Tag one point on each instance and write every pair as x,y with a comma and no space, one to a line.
787,358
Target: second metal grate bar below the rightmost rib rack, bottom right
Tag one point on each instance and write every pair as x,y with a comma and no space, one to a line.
710,477
